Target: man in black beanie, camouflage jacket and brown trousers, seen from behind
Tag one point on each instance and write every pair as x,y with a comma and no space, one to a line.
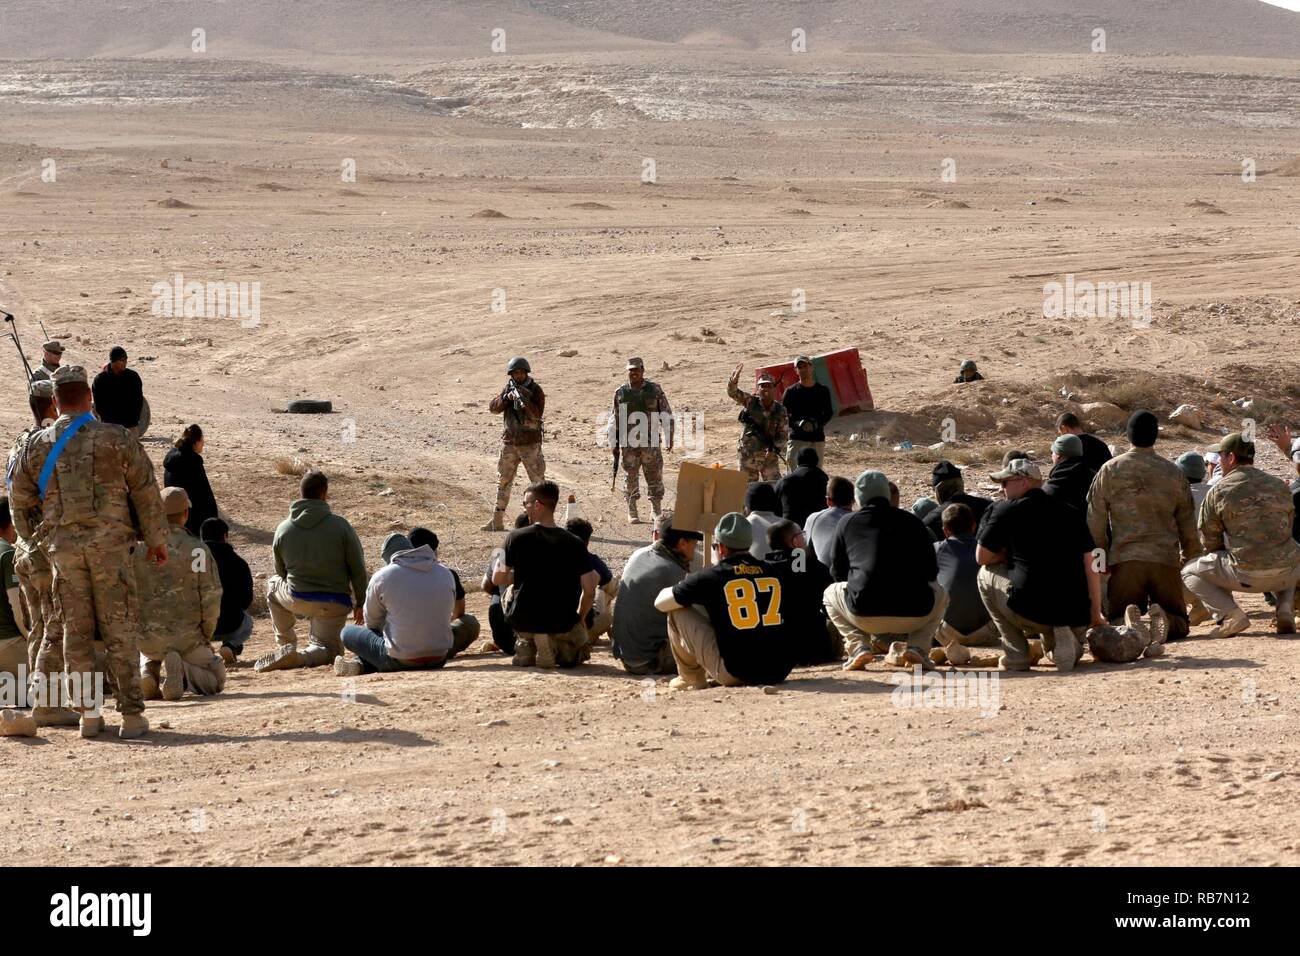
1141,511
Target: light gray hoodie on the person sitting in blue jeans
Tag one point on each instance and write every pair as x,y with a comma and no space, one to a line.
411,602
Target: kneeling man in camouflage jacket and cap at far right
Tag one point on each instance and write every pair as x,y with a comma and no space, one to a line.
1246,530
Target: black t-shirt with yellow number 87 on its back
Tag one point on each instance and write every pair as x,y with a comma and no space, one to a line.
743,598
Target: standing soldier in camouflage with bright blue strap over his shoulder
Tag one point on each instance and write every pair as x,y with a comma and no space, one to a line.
73,487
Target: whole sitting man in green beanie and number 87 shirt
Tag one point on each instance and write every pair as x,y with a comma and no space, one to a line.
726,622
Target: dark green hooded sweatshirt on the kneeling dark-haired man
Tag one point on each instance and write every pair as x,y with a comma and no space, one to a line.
319,553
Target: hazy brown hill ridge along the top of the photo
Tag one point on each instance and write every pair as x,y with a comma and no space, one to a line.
437,29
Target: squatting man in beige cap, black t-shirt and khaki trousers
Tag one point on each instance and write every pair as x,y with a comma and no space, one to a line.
1038,573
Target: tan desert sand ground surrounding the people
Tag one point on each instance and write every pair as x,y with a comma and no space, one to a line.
774,174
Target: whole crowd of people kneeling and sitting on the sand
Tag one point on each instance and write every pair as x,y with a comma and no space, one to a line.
1111,553
